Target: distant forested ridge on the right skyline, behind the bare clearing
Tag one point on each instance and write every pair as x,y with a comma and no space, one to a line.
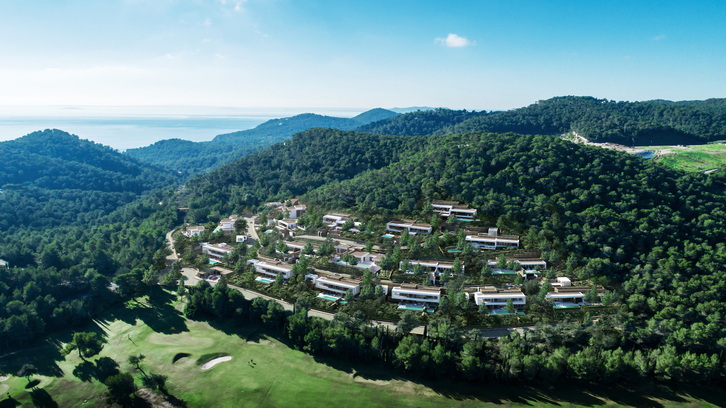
599,120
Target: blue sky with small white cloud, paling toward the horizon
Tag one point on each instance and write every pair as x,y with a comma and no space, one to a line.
474,55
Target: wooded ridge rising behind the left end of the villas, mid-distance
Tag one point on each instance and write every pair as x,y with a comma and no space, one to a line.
310,159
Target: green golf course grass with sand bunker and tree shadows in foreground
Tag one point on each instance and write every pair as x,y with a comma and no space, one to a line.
279,376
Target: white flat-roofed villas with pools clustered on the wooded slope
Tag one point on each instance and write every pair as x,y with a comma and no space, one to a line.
409,296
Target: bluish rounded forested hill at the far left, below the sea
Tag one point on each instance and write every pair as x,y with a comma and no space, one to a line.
52,178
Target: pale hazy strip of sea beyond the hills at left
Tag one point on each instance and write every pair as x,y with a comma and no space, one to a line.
129,127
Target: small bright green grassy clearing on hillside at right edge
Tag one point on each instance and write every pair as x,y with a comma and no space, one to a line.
695,157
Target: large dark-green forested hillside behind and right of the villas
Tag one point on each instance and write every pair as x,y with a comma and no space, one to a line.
654,235
